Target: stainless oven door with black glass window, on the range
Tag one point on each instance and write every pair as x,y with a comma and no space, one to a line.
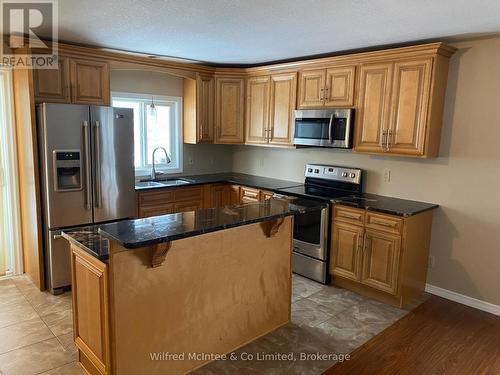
310,236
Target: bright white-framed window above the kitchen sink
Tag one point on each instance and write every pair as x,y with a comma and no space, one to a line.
163,130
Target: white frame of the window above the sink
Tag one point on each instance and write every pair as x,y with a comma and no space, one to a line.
176,103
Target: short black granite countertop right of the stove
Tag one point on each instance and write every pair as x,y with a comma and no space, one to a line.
389,205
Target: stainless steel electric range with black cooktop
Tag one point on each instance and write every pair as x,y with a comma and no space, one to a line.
312,230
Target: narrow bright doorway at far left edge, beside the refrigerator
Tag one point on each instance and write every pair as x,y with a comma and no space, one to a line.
10,236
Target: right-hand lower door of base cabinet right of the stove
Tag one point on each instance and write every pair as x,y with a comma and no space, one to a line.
381,256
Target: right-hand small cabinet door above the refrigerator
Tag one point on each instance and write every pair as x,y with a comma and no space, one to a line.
90,82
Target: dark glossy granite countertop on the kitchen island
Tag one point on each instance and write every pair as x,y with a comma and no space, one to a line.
154,230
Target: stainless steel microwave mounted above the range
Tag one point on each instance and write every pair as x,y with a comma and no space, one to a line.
324,127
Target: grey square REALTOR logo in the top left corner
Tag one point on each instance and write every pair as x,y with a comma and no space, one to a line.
25,27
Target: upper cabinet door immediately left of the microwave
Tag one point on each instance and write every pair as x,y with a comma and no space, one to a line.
282,105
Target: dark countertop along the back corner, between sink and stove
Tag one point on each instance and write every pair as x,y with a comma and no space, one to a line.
265,183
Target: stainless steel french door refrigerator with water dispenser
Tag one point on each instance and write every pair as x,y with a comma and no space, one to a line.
87,173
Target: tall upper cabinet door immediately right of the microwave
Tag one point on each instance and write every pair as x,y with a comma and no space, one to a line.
372,117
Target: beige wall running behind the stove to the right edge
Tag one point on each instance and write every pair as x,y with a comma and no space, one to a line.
464,180
